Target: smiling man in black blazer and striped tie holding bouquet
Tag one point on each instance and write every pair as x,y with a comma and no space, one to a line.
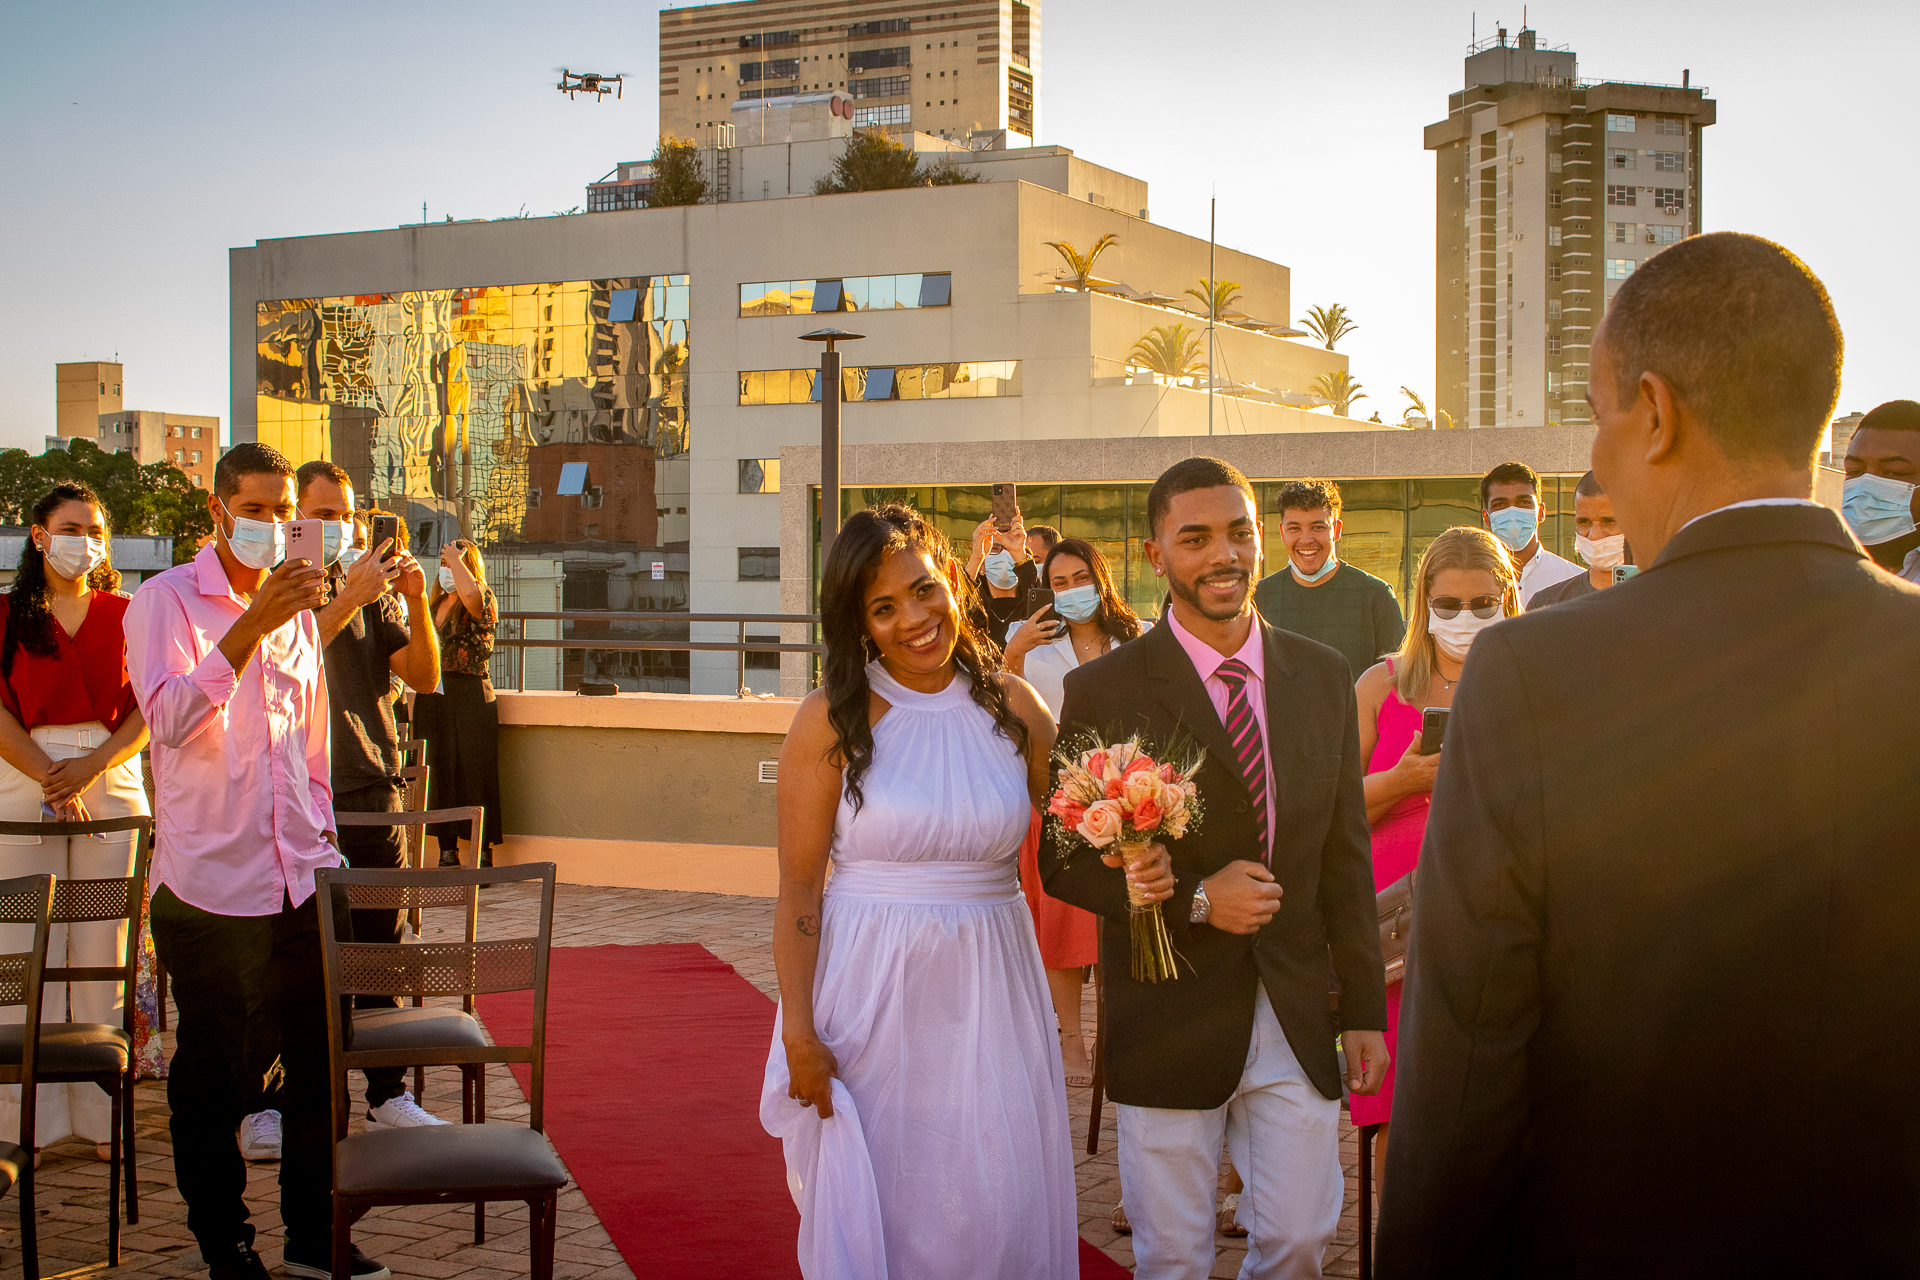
1272,899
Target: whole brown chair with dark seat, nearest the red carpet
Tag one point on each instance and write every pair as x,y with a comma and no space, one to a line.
441,1164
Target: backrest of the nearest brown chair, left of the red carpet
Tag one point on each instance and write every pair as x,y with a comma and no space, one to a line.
468,970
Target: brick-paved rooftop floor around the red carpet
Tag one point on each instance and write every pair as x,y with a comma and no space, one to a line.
437,1243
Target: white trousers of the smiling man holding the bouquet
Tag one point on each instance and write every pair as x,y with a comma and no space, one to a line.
1285,1141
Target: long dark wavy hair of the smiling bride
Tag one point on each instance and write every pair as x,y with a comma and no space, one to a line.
861,546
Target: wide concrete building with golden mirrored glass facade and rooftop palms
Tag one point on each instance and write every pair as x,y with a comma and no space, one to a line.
690,381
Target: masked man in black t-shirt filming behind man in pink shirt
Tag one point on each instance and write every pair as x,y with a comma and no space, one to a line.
368,644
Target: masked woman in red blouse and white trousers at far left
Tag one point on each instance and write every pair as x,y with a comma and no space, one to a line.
70,746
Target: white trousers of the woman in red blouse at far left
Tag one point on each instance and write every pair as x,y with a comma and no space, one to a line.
70,1110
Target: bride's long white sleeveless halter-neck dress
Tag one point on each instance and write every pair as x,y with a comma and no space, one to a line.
949,1152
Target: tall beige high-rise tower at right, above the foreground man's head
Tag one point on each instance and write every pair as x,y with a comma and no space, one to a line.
1550,191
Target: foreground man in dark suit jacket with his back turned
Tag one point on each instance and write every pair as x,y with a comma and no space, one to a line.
1664,1010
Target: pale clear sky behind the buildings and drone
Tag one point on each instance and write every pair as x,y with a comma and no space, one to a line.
141,141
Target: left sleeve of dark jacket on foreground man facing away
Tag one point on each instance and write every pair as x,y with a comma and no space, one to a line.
1474,991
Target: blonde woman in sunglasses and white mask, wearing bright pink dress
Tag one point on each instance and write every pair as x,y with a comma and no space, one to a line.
1464,586
